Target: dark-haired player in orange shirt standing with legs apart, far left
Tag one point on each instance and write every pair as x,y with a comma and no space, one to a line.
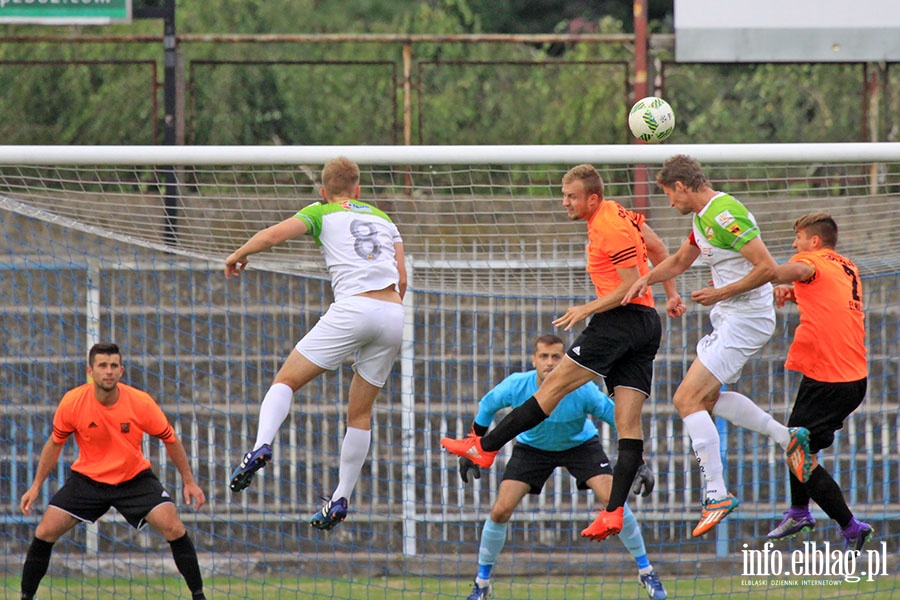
109,420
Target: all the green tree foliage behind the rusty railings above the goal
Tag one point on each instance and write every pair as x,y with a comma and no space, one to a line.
352,93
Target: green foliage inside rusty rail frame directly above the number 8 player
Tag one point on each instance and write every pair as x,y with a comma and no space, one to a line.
293,104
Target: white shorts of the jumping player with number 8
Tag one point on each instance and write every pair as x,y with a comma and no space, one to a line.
373,329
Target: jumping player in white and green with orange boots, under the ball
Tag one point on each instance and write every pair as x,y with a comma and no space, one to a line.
726,238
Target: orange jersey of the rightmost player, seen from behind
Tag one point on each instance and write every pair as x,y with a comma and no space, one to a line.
829,344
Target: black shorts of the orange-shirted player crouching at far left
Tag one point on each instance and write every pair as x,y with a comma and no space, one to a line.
88,500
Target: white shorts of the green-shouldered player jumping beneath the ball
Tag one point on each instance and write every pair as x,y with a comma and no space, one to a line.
734,339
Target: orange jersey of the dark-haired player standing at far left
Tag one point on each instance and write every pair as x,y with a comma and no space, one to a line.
109,438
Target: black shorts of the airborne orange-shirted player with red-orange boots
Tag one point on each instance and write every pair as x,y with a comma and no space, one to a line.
621,345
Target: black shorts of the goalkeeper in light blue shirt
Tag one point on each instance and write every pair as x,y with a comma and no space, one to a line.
532,466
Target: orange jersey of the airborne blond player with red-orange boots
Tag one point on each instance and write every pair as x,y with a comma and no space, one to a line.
615,242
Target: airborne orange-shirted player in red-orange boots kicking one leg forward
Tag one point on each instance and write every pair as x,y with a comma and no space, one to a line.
619,344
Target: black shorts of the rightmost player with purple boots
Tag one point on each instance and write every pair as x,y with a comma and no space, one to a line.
822,407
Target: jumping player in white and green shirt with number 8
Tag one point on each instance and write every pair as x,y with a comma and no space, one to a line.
364,255
